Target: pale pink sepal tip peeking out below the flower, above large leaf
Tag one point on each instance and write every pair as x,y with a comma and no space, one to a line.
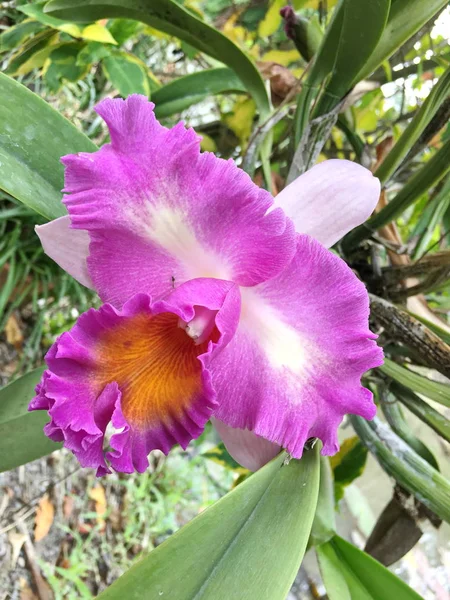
248,449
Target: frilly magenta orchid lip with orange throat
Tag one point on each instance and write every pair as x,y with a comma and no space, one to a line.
139,371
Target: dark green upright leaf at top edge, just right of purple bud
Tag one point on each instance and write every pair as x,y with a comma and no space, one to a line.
363,23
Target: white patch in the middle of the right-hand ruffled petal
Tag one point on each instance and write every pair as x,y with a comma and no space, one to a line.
281,343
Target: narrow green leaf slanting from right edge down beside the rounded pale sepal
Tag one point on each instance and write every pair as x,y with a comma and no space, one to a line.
424,179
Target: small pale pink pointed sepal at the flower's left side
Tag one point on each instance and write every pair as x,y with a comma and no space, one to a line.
68,247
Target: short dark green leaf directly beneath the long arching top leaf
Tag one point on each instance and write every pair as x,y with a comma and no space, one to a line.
183,92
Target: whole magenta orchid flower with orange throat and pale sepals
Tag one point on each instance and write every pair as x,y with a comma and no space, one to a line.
220,302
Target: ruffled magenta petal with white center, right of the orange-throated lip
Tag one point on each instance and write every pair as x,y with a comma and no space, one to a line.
293,369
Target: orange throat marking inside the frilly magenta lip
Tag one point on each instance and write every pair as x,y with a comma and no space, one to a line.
155,364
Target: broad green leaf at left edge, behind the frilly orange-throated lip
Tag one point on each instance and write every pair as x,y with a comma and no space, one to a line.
21,437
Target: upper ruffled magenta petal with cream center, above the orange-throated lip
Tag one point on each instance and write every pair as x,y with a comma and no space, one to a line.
160,213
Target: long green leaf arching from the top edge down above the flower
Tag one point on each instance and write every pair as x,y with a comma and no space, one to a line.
174,19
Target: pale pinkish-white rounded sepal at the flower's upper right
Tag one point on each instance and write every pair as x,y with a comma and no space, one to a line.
330,199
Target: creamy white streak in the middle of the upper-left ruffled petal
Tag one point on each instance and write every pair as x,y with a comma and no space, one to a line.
169,228
